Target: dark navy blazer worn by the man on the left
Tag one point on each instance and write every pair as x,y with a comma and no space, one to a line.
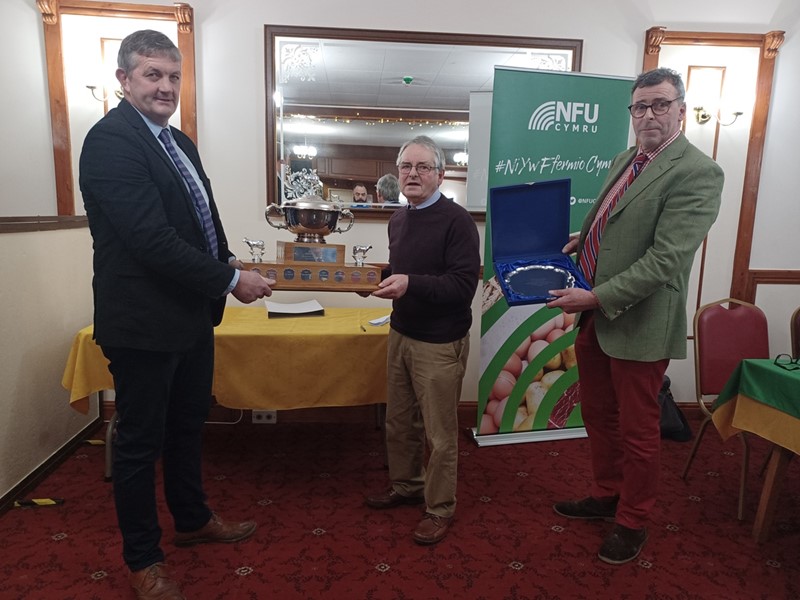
155,286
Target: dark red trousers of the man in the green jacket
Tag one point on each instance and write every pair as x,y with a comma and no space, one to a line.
619,406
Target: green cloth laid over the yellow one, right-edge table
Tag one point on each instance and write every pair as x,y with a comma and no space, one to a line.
766,382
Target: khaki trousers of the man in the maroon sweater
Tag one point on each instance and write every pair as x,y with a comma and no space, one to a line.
424,387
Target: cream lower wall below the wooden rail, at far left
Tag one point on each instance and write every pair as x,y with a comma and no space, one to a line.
46,297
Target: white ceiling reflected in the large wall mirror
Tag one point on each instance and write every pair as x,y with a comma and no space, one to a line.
324,76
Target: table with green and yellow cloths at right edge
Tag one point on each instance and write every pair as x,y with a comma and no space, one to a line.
763,398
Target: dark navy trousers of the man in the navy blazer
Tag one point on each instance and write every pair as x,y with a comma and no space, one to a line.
162,401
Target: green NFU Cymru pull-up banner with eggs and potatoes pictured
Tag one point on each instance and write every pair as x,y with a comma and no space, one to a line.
545,126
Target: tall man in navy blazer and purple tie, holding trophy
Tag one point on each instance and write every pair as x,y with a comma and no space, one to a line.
162,270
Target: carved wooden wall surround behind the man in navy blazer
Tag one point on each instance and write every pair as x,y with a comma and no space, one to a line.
51,11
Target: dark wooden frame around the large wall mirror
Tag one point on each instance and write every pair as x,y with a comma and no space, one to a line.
271,32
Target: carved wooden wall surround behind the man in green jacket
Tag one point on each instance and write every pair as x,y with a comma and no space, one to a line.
744,280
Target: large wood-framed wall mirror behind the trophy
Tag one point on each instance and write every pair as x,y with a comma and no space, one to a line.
341,102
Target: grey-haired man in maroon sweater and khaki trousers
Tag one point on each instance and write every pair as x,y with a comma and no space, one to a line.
434,266
